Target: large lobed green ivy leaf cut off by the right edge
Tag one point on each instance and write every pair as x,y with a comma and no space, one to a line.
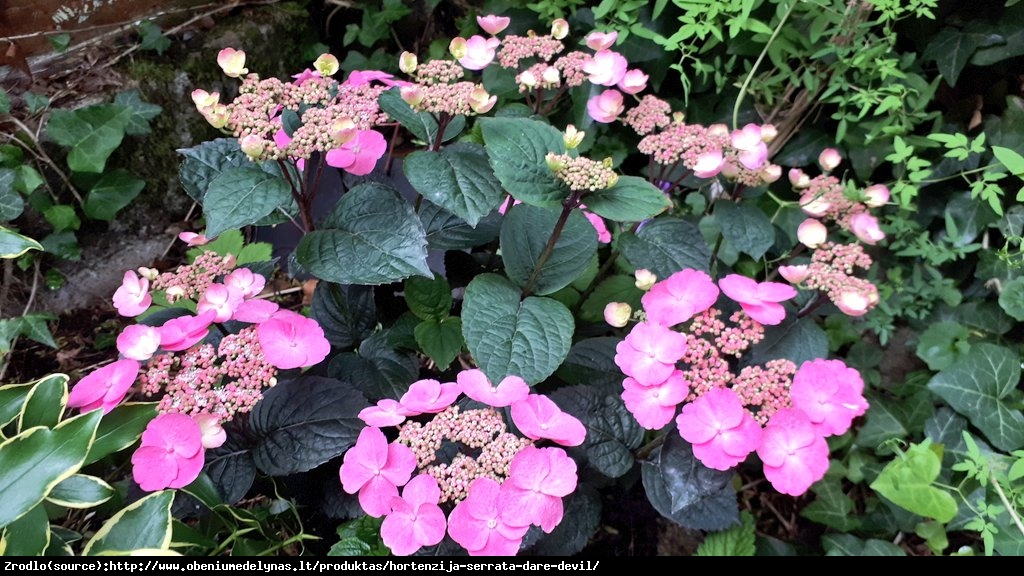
982,387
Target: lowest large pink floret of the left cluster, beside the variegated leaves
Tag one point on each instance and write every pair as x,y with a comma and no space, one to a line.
170,456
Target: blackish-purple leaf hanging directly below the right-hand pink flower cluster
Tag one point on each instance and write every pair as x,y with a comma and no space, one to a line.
686,491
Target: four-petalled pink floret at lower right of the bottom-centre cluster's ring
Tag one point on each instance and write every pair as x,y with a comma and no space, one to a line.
539,479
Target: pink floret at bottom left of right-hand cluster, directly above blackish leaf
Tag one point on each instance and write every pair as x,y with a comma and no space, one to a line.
722,432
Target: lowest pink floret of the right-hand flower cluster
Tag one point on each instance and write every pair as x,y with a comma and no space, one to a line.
795,457
